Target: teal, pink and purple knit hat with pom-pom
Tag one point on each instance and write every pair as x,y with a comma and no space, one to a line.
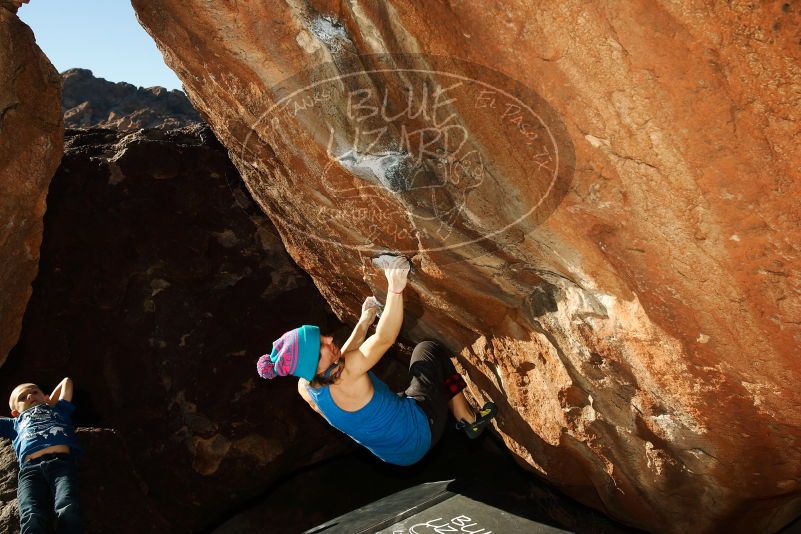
296,353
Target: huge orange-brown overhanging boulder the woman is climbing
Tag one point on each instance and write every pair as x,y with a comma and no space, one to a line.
610,246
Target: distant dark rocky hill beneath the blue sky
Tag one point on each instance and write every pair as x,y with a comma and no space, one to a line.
94,102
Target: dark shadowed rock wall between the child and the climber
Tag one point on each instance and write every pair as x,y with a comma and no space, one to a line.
160,285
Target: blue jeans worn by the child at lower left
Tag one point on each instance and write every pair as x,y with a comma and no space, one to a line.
47,484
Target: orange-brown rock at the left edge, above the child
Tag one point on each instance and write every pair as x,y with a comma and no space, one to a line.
31,140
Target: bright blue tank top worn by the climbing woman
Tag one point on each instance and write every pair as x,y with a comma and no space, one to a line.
393,428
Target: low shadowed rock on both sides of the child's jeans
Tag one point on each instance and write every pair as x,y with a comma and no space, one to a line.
105,499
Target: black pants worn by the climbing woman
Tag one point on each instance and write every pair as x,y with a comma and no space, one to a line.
434,382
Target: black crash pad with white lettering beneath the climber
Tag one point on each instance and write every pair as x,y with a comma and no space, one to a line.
437,508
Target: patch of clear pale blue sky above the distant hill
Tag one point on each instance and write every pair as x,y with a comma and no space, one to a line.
100,35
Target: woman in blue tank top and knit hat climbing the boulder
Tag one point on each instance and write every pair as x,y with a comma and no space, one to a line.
339,385
